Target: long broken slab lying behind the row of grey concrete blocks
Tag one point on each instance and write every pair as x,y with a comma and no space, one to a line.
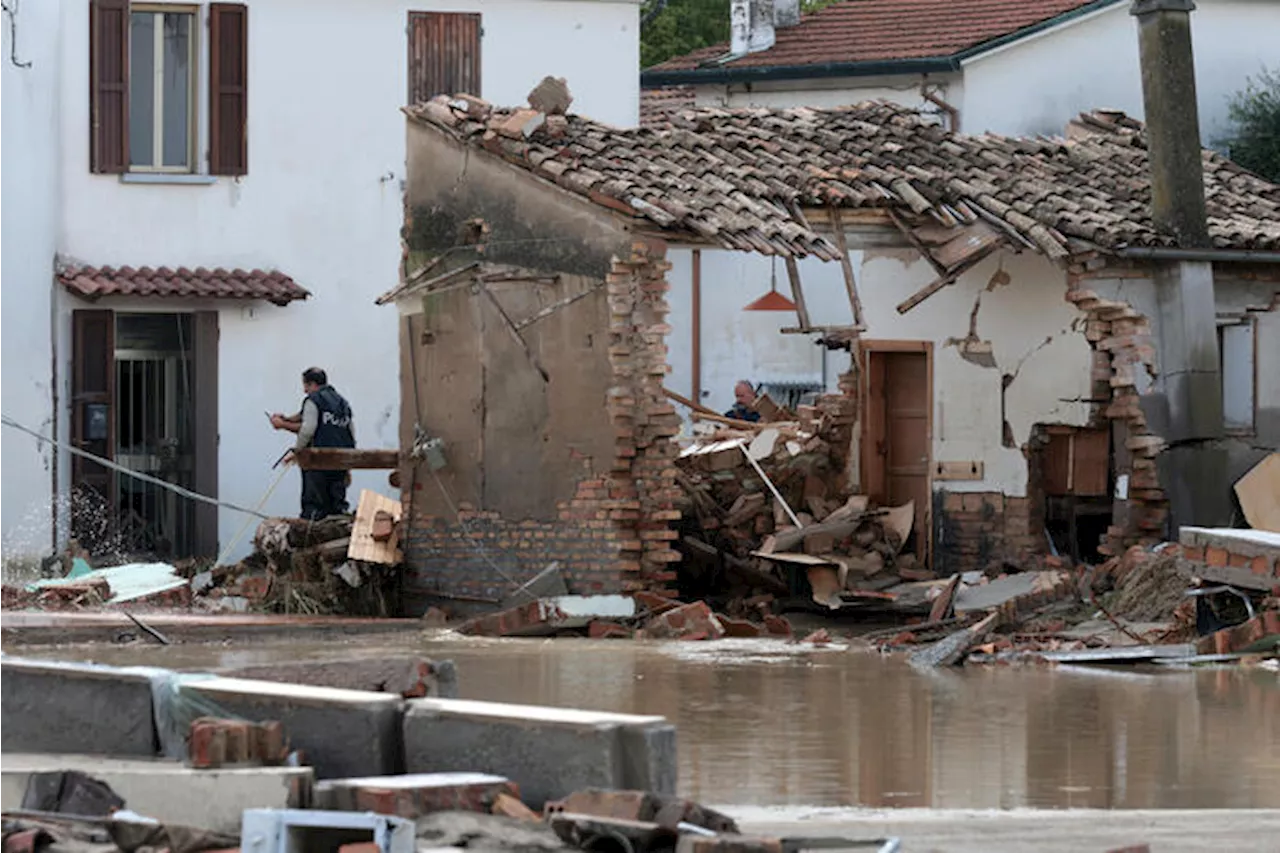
410,677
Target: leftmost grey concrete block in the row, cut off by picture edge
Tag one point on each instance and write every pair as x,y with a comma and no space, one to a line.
54,706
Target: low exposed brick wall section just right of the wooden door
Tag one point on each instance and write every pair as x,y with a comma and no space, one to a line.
980,531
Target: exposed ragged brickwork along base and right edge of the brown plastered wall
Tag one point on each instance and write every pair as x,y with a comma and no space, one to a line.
615,533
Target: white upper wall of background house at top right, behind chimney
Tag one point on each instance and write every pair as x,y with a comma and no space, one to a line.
1040,84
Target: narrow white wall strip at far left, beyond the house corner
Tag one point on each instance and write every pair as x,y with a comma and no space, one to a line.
29,229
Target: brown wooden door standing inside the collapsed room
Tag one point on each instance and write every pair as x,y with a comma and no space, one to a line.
898,440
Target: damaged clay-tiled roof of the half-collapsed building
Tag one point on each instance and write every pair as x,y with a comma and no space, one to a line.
740,179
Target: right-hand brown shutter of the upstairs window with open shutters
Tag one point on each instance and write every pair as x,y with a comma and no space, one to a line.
228,89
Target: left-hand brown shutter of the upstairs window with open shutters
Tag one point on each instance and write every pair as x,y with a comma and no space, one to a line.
109,86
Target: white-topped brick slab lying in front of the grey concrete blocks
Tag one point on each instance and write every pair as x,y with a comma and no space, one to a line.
415,795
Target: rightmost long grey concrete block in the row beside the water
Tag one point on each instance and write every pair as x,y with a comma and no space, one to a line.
548,752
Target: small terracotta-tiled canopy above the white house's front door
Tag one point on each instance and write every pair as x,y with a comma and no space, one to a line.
94,282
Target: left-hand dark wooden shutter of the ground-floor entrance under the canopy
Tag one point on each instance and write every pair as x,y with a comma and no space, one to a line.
93,416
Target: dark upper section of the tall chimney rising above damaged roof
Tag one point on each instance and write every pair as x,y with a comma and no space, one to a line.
1173,120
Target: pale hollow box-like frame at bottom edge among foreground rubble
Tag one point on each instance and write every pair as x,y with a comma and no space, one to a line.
278,831
